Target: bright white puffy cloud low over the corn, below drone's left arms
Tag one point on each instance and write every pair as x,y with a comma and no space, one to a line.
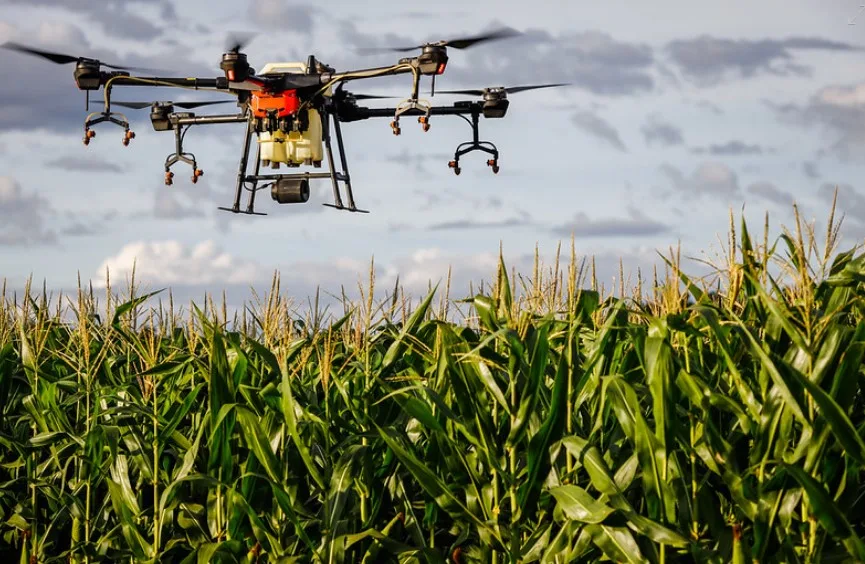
170,262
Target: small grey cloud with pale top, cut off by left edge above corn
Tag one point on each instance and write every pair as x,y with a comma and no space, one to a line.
22,216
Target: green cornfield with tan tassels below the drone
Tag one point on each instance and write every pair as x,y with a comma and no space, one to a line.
682,420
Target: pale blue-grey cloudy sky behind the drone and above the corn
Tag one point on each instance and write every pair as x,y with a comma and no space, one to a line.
676,113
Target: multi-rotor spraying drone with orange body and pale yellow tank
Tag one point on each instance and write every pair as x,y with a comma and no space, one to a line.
292,109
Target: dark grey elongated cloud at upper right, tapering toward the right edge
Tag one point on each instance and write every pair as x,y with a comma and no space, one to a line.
707,60
